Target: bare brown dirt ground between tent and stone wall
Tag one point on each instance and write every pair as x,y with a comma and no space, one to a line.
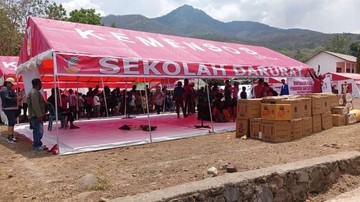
27,175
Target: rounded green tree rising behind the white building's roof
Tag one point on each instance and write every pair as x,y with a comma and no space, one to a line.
339,44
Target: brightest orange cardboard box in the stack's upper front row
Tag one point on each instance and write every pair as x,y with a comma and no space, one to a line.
276,112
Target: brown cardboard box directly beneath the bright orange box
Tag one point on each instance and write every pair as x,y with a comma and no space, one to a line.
276,131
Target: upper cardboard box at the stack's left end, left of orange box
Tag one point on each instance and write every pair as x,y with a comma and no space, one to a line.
247,109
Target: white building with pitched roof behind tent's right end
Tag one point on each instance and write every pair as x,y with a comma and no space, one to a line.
333,62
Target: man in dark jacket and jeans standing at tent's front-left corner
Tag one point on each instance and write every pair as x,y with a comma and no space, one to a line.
37,113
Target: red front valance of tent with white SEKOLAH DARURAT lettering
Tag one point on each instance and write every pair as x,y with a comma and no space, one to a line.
131,67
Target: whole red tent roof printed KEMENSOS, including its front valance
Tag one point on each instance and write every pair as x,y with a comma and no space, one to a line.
83,50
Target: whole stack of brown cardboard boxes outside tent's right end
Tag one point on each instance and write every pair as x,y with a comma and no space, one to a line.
287,118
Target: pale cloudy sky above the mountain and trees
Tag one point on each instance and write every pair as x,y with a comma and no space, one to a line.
327,16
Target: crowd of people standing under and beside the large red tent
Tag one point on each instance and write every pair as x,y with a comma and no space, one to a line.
184,99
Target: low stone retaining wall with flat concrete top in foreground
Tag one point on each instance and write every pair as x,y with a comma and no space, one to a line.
288,182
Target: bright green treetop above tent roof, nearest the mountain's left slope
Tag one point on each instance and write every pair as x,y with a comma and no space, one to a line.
86,16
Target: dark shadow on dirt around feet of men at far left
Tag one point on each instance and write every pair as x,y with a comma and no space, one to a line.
23,146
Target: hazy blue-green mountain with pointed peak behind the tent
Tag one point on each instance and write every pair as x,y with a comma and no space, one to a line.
191,22
